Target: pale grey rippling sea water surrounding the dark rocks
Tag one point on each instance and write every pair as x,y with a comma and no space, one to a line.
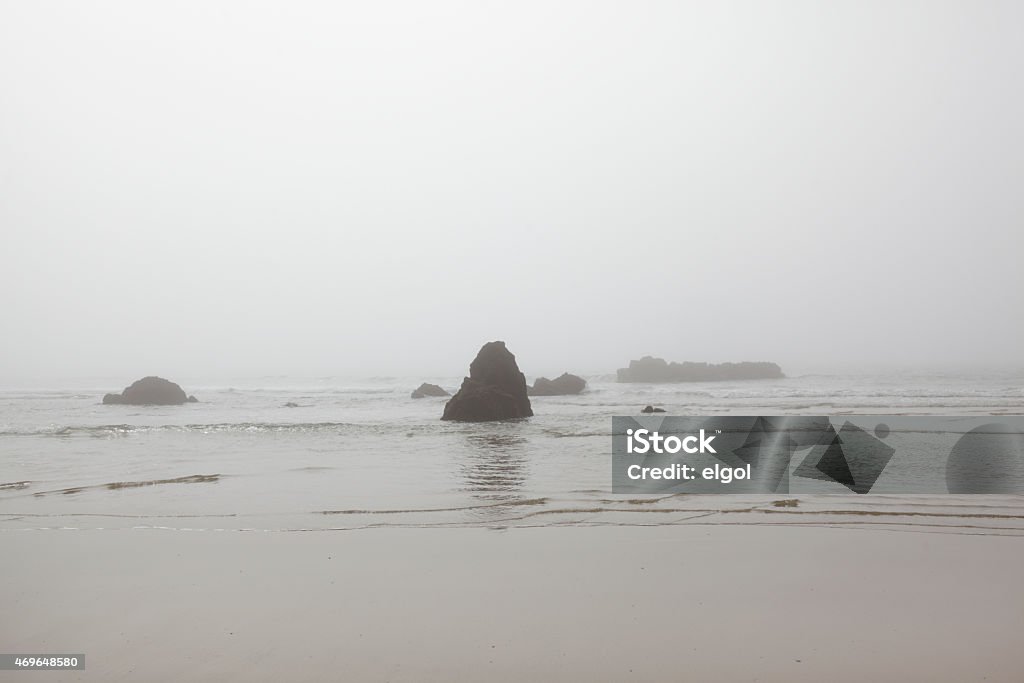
358,454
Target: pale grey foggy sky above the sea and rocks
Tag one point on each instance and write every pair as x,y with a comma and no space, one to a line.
382,188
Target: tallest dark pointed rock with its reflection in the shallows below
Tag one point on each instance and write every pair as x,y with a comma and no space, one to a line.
495,390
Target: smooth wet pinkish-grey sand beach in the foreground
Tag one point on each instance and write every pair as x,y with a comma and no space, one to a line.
610,604
